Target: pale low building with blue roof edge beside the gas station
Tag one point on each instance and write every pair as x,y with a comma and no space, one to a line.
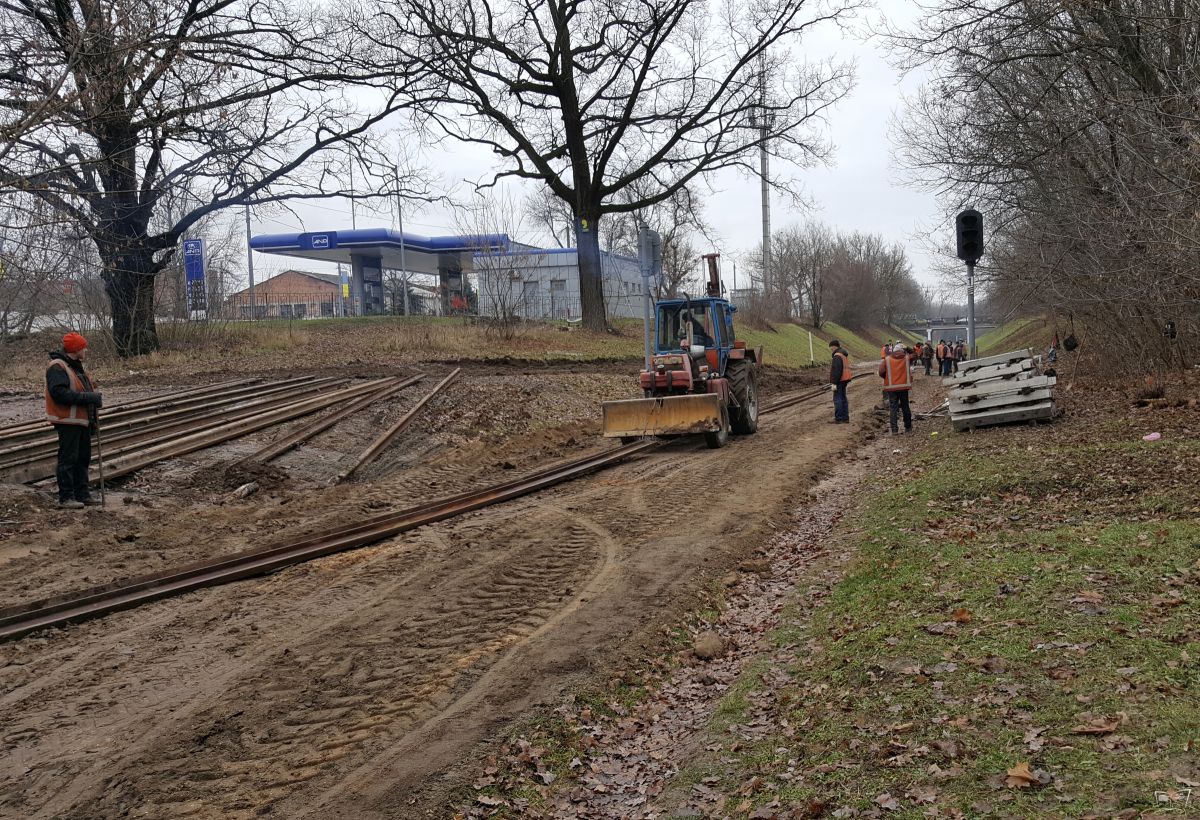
544,284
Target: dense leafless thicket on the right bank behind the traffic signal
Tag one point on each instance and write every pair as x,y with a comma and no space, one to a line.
1073,127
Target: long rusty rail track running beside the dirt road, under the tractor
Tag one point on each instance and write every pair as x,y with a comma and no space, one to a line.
25,619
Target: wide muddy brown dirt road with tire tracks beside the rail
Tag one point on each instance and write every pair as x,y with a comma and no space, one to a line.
355,685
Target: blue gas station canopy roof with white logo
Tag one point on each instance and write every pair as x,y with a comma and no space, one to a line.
423,255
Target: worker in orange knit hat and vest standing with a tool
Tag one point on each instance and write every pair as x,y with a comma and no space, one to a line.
71,405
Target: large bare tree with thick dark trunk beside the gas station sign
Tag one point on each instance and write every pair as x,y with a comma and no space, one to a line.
109,109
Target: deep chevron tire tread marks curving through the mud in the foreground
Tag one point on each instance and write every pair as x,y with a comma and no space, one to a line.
392,667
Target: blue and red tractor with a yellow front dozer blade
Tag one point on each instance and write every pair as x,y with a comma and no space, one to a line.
703,380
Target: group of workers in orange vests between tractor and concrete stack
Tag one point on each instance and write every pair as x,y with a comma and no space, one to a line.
897,362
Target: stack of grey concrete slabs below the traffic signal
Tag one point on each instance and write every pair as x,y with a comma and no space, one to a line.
1000,390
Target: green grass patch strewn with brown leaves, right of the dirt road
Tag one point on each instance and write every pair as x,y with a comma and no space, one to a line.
1025,600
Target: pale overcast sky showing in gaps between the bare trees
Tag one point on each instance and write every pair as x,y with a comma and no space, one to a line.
861,189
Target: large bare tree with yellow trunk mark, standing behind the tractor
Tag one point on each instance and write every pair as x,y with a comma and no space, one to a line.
592,99
